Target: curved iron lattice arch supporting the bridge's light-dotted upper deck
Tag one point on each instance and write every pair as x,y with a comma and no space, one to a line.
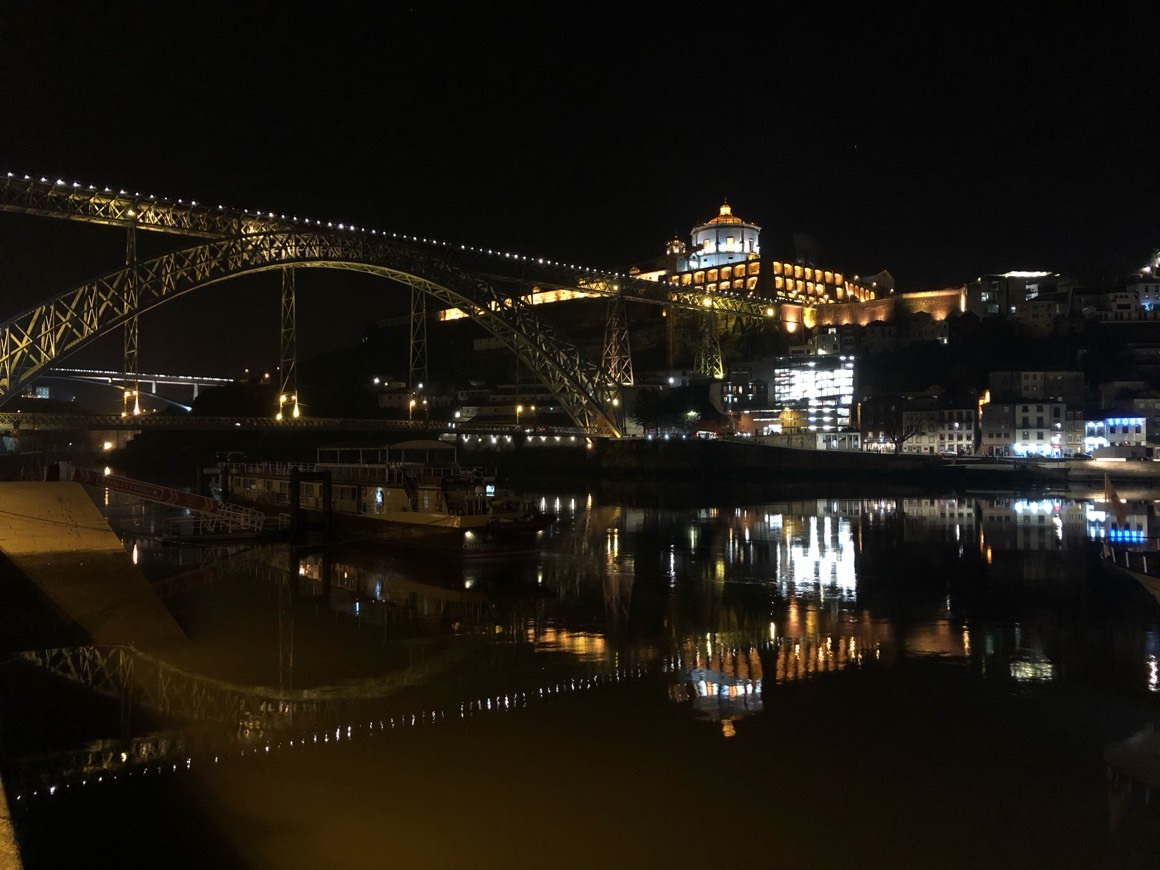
37,339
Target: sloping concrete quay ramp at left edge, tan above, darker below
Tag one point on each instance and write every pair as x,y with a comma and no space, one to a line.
57,538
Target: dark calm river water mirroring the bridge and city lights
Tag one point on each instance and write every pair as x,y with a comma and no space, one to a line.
821,683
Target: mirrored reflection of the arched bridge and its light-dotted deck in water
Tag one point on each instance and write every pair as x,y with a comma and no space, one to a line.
257,721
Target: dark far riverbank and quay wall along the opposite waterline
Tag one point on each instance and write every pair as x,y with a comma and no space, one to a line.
668,463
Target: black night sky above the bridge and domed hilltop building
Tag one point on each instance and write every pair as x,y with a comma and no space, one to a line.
937,141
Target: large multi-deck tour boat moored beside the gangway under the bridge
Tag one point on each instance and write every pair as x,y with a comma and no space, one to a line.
410,496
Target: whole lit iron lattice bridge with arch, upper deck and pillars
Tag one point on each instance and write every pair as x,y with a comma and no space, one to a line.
494,289
